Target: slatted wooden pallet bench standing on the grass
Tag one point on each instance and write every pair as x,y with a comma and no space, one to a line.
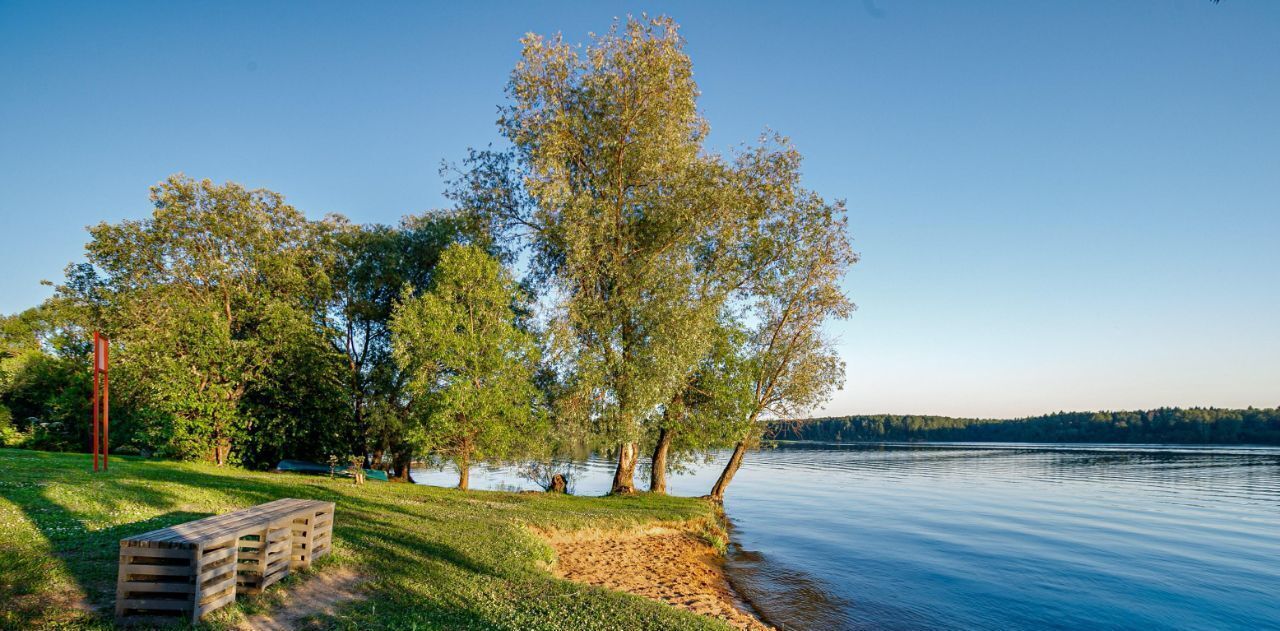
196,568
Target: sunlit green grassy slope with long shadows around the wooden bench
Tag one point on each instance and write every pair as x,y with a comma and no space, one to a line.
437,559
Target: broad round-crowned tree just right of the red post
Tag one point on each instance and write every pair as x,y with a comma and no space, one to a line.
202,298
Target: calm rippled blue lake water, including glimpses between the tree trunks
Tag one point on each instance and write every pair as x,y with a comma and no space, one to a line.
994,536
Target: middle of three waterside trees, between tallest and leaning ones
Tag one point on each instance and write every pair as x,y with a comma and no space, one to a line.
738,266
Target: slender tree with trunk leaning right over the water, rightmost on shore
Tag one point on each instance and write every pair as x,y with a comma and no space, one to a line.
798,262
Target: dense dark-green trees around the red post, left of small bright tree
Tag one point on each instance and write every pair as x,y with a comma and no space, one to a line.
240,332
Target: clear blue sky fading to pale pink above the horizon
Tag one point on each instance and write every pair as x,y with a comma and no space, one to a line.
1058,205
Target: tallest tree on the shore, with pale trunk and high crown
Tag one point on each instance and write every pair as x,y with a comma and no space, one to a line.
609,185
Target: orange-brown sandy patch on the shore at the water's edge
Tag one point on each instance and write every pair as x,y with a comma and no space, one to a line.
665,564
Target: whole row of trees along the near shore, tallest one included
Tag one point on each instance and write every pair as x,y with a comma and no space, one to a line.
604,282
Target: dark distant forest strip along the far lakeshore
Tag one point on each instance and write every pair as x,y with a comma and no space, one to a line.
1164,426
